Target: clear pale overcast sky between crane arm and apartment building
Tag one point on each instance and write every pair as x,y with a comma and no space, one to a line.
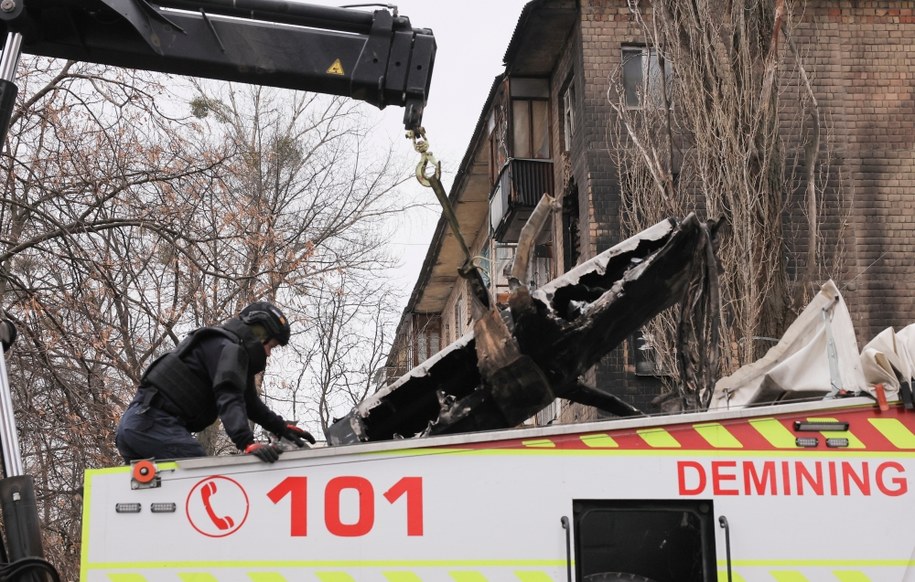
471,38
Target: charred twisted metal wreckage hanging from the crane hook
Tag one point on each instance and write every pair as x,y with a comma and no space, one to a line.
516,361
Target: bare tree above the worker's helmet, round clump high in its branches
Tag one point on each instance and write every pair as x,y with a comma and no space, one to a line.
302,216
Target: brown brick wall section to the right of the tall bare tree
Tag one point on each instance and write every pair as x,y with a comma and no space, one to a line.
859,56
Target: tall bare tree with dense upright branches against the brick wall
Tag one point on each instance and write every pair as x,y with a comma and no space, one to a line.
706,131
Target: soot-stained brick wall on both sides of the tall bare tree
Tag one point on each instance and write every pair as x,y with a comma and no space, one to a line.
860,59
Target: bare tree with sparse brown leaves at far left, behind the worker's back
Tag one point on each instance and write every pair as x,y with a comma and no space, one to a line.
93,166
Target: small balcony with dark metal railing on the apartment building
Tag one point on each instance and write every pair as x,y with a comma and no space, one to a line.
519,188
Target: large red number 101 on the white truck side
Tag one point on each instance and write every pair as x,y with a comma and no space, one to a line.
297,490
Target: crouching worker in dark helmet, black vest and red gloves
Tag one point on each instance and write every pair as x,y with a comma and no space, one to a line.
209,374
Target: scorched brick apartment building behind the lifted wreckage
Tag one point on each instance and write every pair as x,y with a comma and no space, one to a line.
544,129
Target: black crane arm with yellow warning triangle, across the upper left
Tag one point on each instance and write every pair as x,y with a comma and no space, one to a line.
375,57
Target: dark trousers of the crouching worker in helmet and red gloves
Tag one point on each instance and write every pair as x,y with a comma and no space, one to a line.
154,434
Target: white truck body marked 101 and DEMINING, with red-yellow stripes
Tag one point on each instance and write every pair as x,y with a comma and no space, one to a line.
649,497
